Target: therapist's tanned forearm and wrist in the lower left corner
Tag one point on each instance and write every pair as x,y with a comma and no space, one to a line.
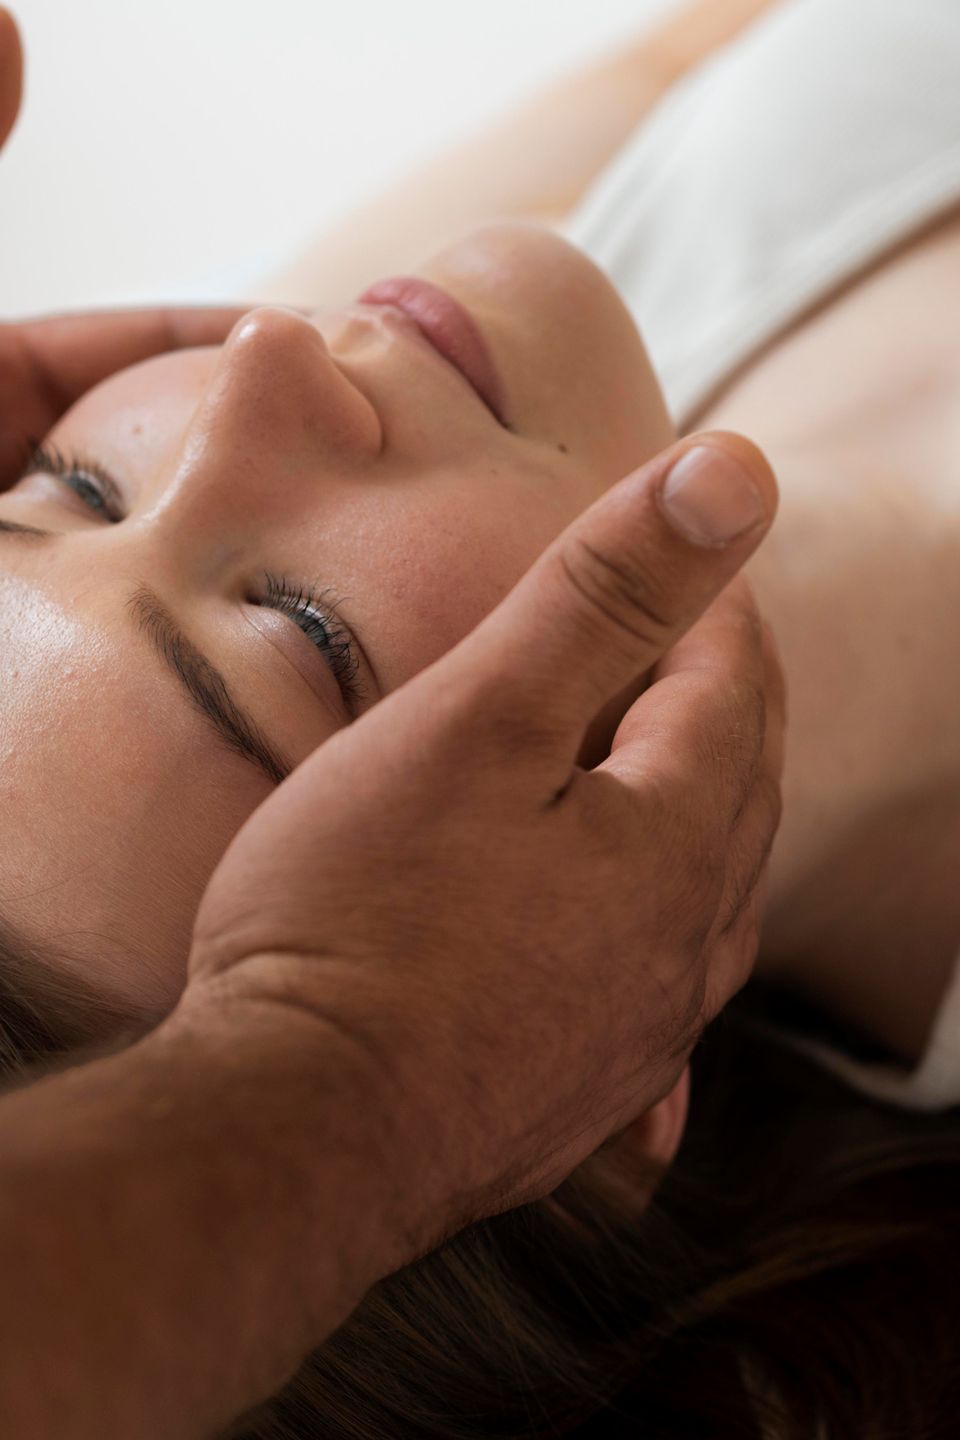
188,1219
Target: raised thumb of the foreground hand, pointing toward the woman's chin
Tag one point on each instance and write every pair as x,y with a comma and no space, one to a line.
621,587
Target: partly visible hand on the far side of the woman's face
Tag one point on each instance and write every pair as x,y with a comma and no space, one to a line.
47,365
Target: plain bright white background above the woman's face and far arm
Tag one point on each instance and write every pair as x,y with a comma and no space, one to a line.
165,149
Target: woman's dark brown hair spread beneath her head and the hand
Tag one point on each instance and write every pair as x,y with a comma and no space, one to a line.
795,1278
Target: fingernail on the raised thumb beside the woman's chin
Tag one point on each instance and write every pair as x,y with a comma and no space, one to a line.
710,499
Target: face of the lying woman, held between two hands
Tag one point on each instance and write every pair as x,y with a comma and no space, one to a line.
335,457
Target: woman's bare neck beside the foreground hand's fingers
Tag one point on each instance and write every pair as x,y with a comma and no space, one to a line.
863,914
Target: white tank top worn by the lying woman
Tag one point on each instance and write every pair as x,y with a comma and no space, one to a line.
800,155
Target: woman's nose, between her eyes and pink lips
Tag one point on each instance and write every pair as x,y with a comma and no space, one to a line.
277,420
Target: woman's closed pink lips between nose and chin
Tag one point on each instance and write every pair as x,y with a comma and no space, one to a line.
448,328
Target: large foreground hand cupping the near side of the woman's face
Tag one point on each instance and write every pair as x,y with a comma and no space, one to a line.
523,953
